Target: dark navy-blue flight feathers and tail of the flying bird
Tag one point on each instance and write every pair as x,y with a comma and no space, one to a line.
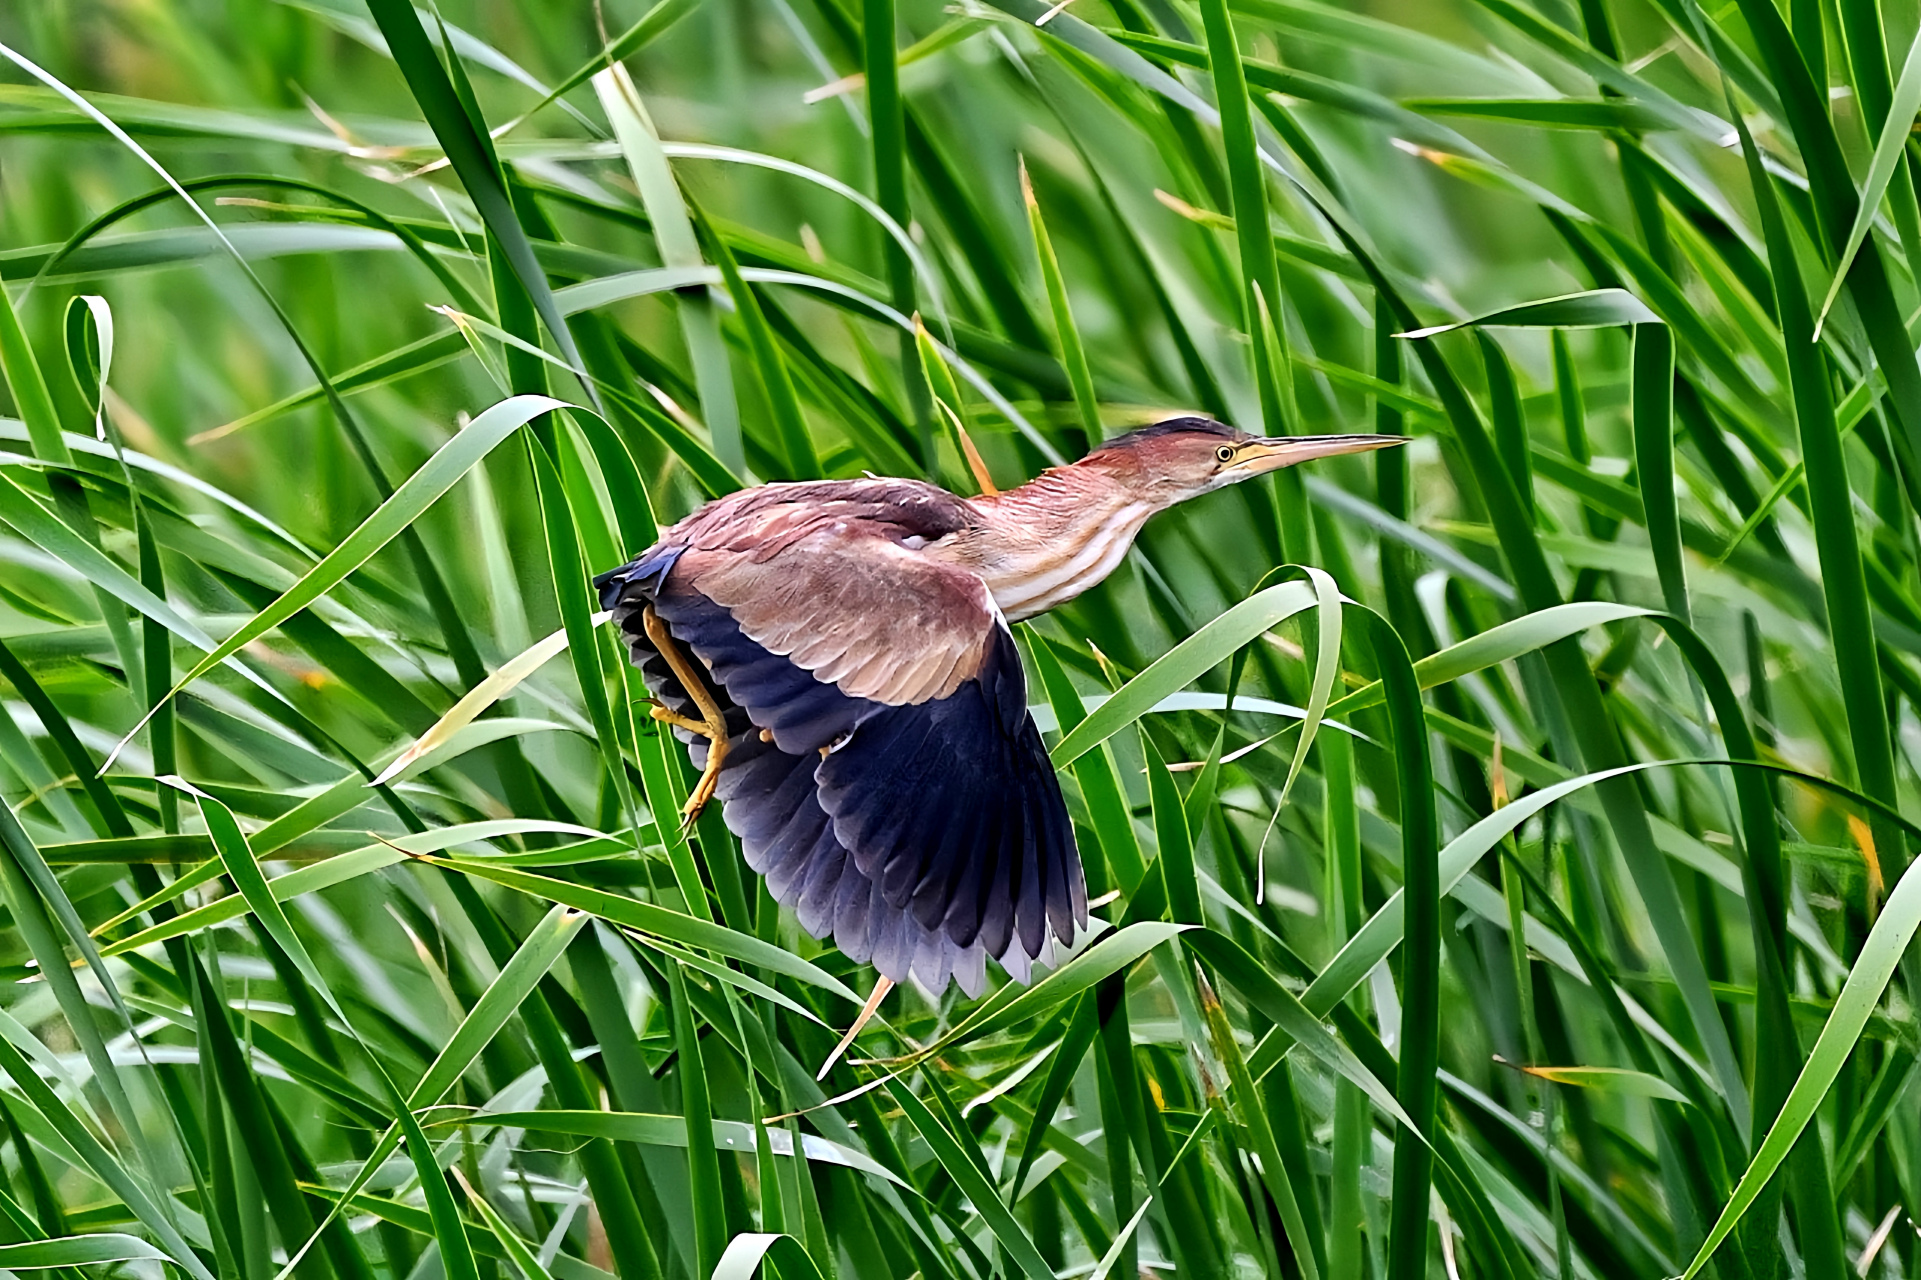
923,837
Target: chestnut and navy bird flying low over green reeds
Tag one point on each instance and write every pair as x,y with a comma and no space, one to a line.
839,660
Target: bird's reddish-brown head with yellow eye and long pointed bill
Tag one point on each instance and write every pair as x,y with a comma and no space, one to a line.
1190,456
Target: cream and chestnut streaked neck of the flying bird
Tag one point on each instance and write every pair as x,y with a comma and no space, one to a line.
1056,537
